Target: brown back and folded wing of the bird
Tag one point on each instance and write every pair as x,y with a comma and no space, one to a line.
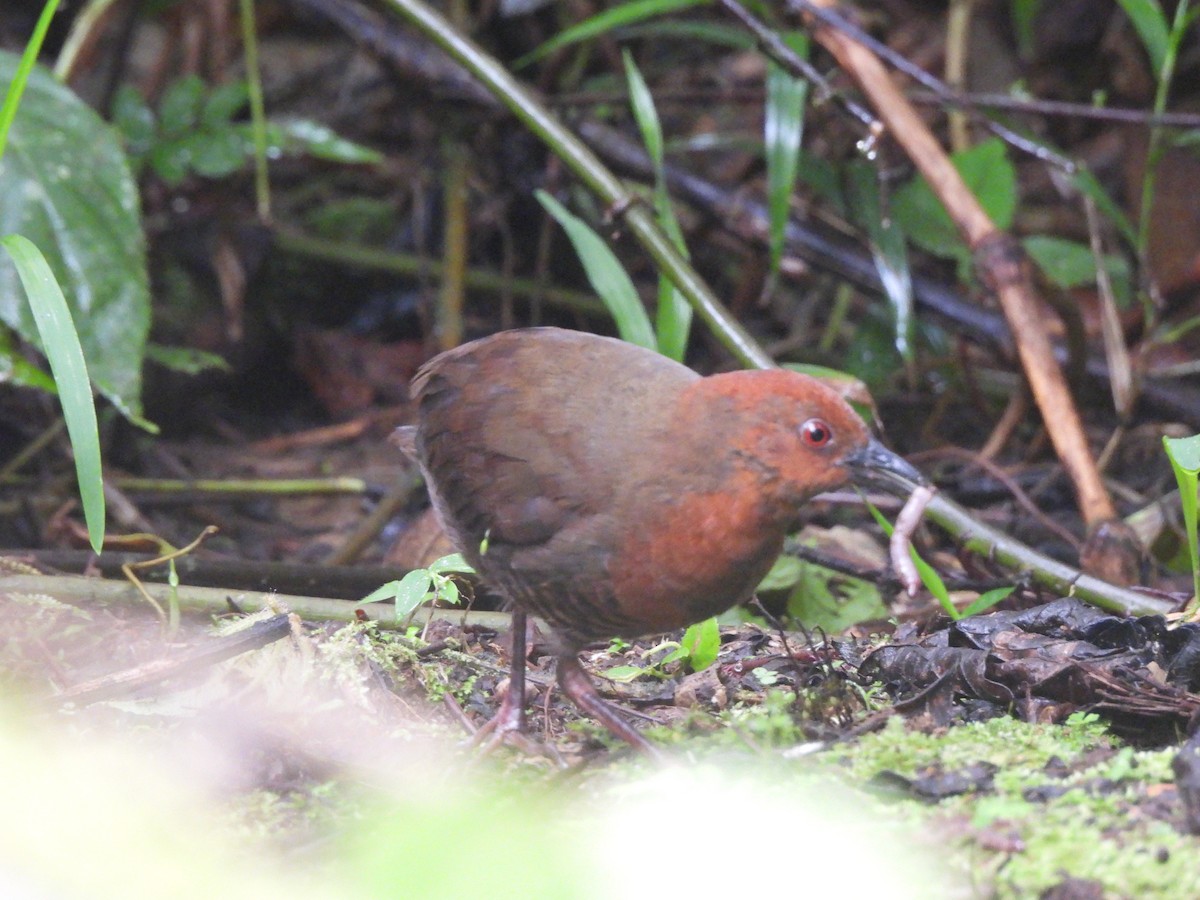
521,433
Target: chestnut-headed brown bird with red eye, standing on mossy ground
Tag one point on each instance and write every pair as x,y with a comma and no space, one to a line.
615,493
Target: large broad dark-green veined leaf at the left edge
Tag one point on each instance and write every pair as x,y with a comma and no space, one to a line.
68,188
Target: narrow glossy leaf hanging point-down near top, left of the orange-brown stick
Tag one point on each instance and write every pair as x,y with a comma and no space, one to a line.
783,134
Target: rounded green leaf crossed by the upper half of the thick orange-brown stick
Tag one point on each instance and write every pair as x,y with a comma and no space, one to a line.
992,179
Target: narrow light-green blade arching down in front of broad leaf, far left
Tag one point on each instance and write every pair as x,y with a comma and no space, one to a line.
62,345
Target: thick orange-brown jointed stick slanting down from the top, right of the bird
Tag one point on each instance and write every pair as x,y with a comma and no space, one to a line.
999,259
